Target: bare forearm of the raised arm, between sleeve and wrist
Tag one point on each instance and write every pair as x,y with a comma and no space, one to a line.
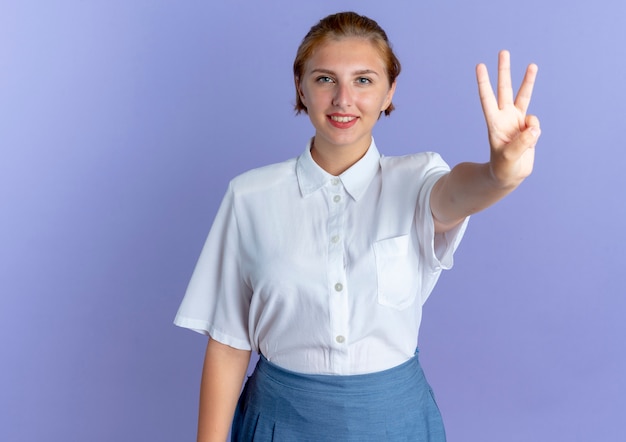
467,189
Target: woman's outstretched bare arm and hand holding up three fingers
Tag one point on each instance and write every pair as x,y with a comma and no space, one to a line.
472,187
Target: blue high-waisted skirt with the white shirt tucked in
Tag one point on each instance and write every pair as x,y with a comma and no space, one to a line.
391,405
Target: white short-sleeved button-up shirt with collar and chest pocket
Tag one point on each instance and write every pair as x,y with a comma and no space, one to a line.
323,274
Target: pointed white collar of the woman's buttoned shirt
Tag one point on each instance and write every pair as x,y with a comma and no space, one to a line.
311,177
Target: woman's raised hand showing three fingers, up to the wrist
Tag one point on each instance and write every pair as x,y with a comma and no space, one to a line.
512,133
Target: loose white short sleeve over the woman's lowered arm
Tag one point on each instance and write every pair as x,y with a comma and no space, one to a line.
217,300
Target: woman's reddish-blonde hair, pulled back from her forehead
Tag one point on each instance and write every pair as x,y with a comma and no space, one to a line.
341,25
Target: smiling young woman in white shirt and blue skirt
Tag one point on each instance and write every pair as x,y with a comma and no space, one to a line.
322,263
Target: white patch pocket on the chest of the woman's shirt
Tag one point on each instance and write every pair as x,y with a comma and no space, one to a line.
396,272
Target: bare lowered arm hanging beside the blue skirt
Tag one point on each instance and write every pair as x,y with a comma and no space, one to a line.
222,377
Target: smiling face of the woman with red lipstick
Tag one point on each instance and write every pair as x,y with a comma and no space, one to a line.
345,87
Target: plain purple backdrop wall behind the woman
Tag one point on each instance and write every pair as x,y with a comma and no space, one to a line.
122,121
